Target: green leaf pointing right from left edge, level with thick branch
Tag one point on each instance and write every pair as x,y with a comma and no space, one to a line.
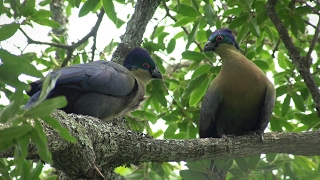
14,132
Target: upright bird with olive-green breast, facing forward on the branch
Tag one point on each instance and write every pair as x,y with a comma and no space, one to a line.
240,98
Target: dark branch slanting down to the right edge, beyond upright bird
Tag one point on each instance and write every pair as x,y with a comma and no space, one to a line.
301,63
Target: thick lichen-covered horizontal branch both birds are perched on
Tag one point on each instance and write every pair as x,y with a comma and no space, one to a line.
107,145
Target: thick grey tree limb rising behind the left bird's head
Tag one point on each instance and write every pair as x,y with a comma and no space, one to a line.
144,10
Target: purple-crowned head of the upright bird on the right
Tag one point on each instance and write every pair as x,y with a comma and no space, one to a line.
221,37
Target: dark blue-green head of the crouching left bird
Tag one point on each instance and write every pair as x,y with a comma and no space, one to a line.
141,65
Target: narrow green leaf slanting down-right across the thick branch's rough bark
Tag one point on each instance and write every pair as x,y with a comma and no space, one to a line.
60,129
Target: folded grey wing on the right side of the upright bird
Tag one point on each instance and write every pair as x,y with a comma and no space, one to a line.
267,108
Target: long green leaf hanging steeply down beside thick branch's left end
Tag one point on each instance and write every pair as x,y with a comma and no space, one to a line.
40,140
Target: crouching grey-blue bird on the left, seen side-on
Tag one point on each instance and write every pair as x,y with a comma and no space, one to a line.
102,89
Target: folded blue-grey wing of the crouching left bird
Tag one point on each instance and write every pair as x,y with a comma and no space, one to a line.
103,77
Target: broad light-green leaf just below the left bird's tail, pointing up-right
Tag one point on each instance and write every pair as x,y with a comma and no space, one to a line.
45,108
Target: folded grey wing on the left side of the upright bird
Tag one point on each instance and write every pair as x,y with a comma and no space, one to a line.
209,110
